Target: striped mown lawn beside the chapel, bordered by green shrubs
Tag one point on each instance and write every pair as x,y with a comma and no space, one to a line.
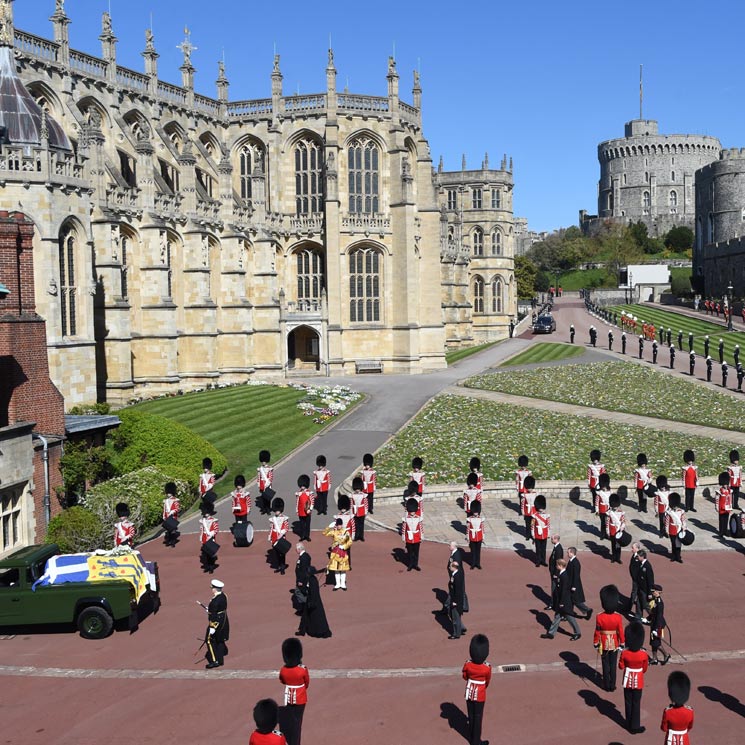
240,421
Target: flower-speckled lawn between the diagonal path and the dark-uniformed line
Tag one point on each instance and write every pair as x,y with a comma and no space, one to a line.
625,387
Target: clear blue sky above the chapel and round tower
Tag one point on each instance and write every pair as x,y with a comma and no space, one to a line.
541,81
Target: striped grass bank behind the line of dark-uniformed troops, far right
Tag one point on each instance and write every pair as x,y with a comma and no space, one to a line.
699,327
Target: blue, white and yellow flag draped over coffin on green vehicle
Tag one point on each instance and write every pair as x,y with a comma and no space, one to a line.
98,567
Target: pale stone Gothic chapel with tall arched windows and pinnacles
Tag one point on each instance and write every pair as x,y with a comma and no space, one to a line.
188,240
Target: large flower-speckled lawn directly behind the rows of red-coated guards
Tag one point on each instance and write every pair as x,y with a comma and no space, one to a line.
452,429
